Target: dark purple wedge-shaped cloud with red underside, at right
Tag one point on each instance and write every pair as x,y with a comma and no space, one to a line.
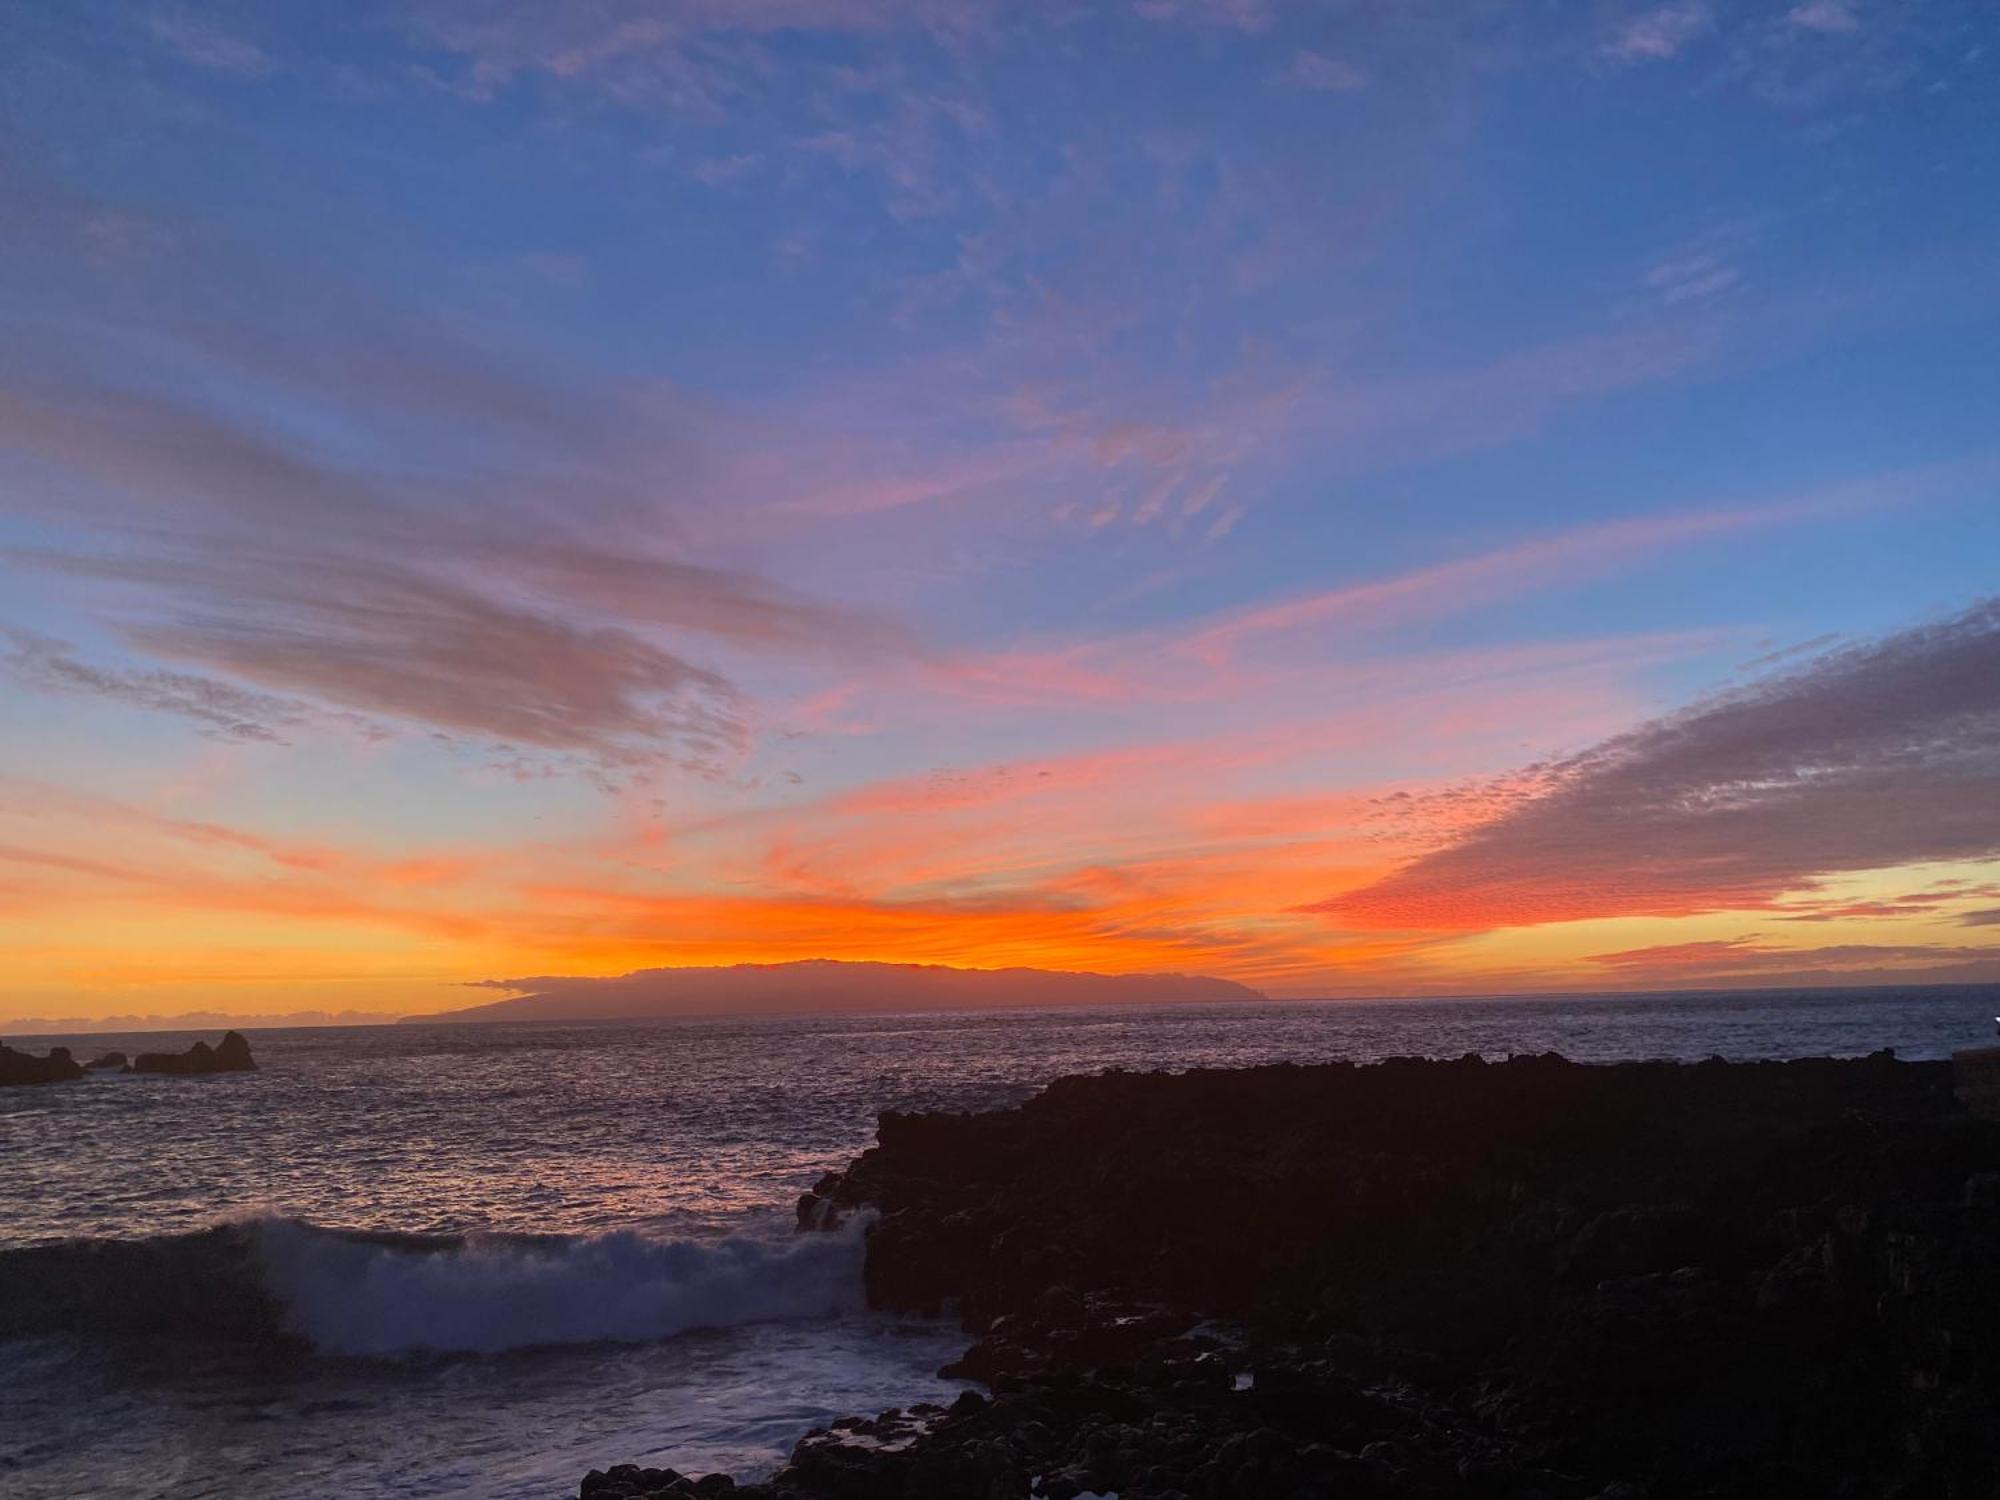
1873,757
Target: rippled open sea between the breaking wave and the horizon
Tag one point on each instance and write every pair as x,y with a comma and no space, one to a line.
693,1127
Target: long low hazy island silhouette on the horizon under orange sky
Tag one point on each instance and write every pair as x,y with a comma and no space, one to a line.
829,985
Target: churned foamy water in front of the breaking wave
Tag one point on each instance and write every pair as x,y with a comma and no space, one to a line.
135,1421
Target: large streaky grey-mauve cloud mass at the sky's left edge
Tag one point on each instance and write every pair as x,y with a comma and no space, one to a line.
277,579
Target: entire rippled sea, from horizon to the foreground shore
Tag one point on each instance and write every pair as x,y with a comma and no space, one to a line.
521,1251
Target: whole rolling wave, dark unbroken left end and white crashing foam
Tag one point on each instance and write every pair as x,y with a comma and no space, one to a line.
389,1295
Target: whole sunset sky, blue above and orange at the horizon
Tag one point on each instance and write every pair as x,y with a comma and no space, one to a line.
1353,497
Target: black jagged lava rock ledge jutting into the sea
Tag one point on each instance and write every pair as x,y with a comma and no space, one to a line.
1435,1279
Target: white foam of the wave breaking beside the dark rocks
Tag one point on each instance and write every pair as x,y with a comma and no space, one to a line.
489,1295
